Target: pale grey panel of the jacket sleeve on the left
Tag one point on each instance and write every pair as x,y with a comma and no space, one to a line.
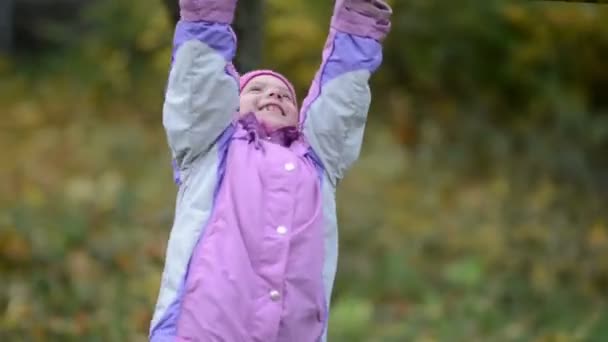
200,102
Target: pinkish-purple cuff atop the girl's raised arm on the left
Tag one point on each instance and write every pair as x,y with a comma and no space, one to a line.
219,11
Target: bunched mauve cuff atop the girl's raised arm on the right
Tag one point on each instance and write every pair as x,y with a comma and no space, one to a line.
366,18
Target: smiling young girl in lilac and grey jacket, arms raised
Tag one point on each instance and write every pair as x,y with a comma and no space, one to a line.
253,249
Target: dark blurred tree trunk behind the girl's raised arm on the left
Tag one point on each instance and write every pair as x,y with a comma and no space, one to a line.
248,27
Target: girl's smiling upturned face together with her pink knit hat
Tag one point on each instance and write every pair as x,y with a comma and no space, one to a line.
269,98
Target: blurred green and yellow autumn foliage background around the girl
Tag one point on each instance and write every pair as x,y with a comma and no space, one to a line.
477,212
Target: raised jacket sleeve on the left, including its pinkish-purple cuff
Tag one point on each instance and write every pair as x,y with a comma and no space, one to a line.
202,91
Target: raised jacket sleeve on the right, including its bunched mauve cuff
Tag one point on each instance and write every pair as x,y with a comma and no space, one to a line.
334,113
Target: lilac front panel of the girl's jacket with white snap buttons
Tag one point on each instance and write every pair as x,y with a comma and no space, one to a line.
256,275
